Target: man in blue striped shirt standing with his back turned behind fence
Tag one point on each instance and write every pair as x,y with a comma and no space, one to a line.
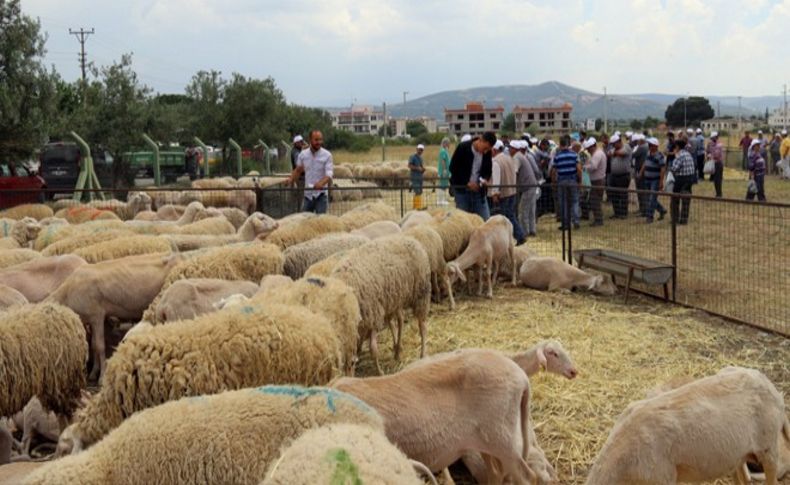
567,173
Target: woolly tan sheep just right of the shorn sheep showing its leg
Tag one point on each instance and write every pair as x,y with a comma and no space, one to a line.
244,262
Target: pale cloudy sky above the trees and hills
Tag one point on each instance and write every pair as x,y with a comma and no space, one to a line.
335,52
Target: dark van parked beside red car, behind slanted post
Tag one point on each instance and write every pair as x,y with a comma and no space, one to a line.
60,167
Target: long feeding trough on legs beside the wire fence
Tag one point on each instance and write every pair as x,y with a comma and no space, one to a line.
626,266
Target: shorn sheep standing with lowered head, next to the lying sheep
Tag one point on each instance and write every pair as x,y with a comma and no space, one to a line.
488,244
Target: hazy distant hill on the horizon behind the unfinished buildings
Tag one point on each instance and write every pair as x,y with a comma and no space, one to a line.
586,104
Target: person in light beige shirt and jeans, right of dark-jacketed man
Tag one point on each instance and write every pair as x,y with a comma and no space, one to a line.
503,190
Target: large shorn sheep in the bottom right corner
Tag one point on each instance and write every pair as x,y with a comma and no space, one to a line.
698,432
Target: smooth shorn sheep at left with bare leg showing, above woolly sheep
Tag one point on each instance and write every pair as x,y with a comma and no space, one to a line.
120,288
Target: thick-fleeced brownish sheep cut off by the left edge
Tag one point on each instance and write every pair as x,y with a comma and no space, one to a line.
43,349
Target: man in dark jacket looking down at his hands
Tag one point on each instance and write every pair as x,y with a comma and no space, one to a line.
470,170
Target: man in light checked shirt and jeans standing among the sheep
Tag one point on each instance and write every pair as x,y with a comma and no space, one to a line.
318,169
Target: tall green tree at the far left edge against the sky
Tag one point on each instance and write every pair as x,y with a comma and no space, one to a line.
28,95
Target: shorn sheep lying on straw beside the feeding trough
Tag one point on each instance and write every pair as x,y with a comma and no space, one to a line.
546,273
